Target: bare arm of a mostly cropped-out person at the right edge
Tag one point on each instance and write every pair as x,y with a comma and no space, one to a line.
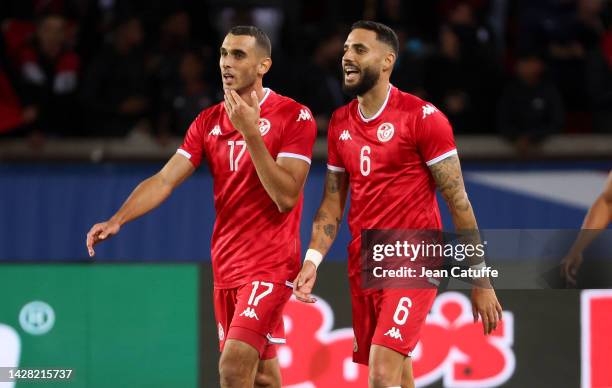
597,219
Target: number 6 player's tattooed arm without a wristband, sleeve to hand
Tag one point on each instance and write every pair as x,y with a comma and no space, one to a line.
449,180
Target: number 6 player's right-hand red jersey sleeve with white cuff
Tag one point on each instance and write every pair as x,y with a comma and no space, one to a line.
434,135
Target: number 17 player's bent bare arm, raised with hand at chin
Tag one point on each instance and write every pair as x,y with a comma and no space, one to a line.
284,179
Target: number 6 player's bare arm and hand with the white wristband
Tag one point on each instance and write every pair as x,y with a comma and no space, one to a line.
324,230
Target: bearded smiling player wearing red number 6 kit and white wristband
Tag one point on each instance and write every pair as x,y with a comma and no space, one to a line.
393,150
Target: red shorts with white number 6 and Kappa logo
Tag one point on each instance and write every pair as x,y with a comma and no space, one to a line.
391,318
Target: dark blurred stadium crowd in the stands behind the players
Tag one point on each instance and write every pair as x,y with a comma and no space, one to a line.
102,68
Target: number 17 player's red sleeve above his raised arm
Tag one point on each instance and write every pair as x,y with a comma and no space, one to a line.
299,136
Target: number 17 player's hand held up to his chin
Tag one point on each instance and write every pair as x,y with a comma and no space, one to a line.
243,115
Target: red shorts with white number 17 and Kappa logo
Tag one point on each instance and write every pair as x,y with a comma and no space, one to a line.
253,313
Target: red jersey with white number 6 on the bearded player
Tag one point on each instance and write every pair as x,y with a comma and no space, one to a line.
387,158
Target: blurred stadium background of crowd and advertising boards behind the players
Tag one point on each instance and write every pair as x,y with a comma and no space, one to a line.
95,95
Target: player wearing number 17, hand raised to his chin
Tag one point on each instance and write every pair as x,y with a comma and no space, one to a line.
258,146
